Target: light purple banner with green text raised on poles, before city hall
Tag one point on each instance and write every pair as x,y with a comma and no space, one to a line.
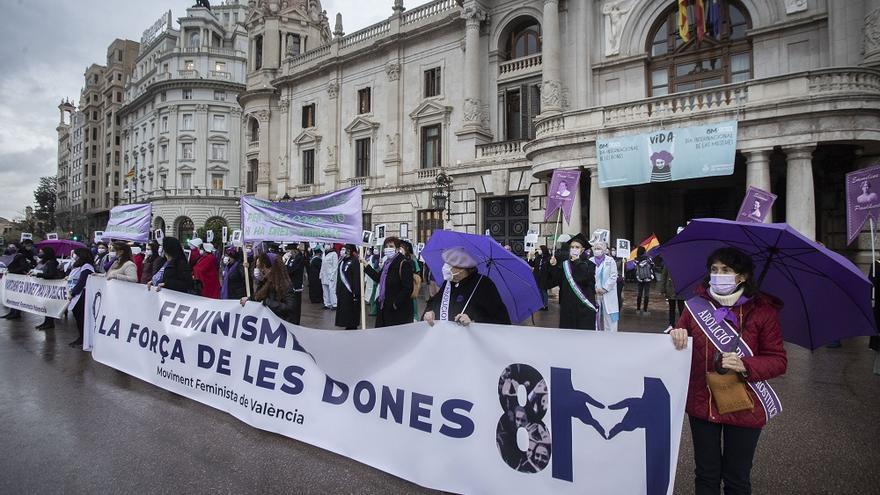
335,217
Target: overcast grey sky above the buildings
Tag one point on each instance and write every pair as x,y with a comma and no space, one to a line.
45,47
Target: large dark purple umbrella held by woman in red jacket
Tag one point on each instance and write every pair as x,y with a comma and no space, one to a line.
826,297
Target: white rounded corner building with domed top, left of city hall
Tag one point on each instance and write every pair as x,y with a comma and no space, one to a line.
181,121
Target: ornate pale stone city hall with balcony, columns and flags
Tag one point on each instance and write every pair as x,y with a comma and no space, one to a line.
454,114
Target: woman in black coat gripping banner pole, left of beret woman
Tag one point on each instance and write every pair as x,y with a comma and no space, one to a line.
394,295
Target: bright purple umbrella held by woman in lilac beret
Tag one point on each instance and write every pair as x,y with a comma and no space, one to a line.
510,274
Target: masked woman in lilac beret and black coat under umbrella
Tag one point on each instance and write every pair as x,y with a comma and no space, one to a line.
465,296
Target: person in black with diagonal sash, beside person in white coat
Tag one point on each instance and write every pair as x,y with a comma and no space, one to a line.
576,278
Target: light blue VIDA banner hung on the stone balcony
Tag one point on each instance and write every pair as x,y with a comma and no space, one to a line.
667,155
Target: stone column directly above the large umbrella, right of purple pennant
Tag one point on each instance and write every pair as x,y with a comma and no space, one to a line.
800,196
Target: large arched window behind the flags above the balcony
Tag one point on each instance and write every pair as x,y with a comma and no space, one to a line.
723,56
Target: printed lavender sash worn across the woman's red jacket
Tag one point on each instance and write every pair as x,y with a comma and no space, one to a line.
722,335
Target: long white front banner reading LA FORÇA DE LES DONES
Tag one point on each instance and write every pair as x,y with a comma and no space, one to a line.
479,409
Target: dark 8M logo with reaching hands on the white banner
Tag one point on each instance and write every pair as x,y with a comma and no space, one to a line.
650,412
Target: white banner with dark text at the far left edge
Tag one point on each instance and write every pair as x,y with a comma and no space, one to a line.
34,295
